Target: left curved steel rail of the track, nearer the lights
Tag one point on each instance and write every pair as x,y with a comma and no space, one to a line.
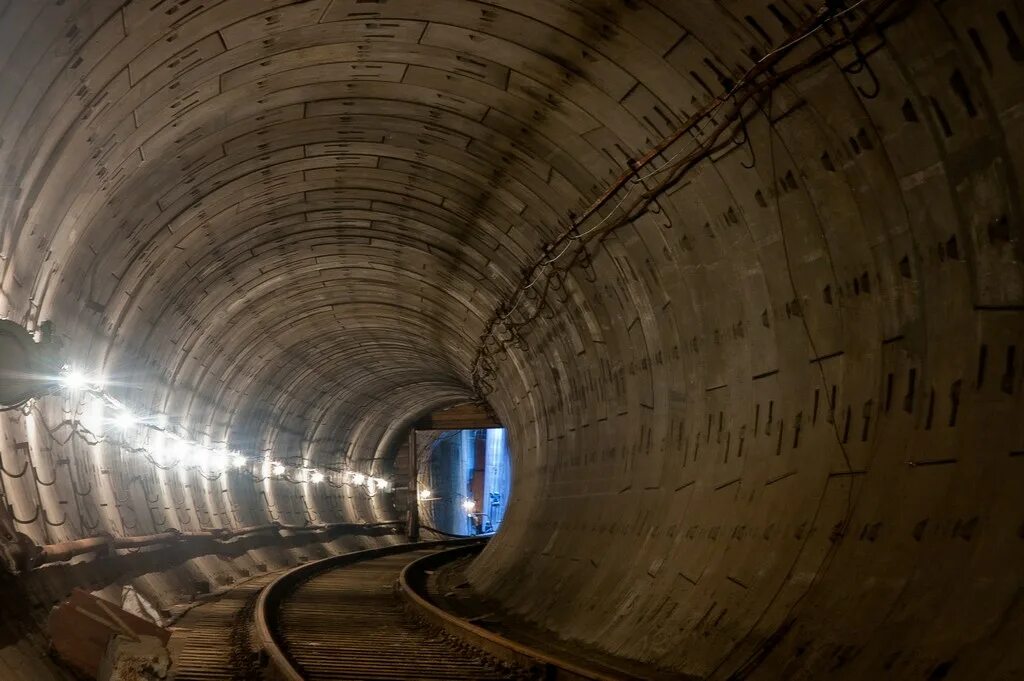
281,663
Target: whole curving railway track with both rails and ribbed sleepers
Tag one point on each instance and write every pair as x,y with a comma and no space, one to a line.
365,615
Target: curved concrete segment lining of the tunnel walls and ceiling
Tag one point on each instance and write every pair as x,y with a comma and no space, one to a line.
742,279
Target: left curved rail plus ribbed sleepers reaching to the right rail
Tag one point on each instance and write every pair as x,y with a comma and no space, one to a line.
346,618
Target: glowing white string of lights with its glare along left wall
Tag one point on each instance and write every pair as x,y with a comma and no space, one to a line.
169,448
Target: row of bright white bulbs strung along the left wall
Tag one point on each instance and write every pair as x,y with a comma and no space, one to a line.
178,451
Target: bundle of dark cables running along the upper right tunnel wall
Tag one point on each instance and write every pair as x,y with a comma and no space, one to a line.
724,114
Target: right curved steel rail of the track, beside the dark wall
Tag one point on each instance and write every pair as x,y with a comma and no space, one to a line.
413,585
